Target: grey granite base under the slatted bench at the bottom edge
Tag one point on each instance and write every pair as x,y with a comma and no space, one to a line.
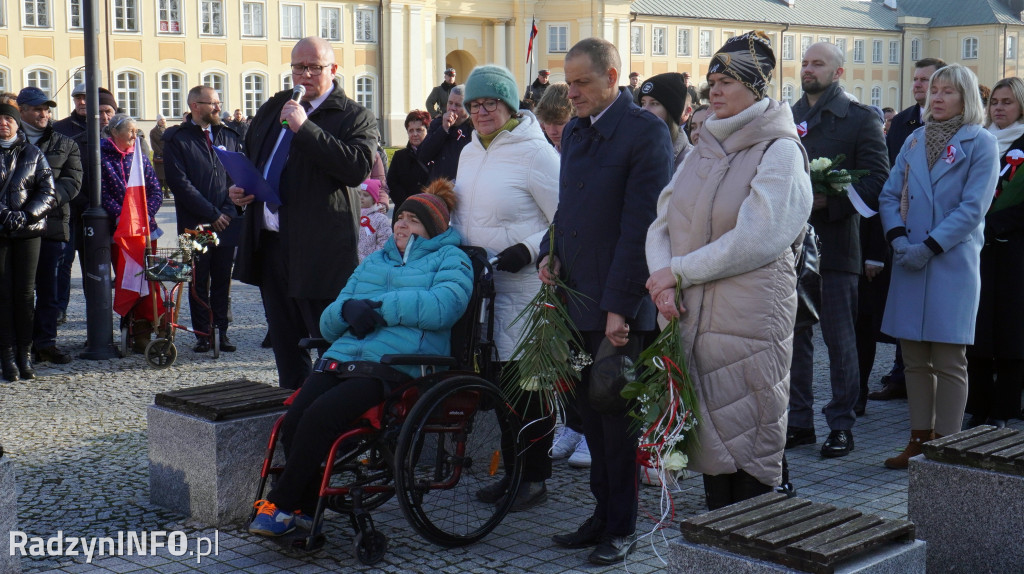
894,558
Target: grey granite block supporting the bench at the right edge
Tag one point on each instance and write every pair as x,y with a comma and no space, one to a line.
970,517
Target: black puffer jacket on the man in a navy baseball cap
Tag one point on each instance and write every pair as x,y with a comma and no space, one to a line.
66,161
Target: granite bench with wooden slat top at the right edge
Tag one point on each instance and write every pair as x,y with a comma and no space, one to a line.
966,496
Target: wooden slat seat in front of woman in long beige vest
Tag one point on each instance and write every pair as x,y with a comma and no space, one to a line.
796,534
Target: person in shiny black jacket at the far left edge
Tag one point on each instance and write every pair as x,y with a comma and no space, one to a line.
28,195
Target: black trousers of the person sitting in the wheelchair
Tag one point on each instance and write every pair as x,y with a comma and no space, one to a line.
325,409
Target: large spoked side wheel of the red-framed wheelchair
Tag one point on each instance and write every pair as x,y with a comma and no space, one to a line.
450,448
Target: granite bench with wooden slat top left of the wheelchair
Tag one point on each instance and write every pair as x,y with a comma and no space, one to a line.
206,448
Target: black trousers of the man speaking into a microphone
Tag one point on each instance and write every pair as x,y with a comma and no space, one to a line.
289,320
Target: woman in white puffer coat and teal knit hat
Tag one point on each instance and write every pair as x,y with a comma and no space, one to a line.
508,192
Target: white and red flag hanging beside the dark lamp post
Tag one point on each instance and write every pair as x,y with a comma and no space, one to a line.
131,238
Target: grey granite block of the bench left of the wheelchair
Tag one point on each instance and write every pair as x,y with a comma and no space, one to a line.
204,469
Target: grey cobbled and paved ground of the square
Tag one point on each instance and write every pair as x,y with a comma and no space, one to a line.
77,438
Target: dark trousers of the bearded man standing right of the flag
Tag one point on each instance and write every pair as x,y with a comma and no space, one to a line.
214,283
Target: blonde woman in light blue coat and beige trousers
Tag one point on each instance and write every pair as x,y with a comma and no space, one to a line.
933,211
